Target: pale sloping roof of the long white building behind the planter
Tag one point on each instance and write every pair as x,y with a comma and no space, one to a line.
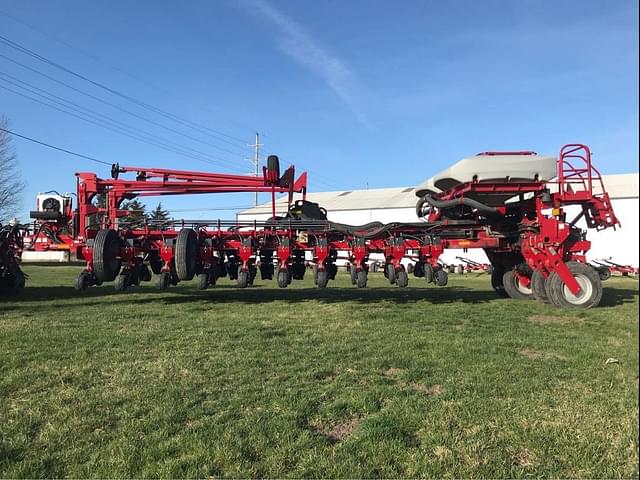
618,186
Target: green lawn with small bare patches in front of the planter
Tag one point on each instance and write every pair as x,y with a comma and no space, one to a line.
301,382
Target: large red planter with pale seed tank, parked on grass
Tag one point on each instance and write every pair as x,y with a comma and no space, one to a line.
511,204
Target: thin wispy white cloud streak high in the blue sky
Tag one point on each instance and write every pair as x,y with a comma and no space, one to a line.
298,44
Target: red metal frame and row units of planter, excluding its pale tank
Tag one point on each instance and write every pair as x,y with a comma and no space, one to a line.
529,235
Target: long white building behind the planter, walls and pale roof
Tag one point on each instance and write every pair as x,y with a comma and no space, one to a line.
357,207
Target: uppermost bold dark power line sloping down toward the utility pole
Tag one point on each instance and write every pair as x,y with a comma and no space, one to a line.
141,103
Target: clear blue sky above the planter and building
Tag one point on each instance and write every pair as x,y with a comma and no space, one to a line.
360,93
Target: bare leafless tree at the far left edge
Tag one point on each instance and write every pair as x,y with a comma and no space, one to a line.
11,185
